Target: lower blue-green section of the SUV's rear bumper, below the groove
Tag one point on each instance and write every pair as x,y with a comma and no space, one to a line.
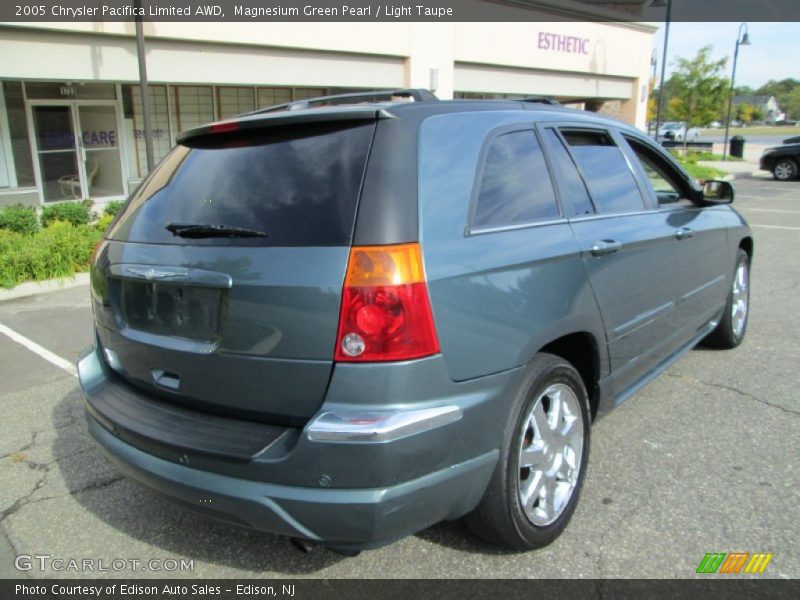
346,519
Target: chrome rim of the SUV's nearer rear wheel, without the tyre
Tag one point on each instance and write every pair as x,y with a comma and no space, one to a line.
550,454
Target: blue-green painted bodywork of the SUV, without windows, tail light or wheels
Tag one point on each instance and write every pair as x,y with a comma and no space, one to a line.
258,368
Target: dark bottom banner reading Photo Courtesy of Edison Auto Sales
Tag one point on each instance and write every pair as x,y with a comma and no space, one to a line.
732,588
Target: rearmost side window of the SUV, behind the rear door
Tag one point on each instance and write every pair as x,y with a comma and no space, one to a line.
515,187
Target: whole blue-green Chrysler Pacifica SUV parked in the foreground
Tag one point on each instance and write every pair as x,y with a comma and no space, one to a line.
346,322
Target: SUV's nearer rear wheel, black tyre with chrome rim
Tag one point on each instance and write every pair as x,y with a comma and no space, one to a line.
537,481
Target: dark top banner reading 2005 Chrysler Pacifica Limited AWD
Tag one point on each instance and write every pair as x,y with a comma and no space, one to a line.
32,11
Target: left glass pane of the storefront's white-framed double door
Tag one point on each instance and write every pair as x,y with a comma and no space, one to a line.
57,152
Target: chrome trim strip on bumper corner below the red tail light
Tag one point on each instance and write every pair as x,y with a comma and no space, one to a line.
354,426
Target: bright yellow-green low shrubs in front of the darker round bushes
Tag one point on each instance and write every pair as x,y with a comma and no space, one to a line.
59,250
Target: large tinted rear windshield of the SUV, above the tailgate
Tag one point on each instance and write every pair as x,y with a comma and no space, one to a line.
298,186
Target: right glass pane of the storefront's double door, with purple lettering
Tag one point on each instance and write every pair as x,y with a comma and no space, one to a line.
99,141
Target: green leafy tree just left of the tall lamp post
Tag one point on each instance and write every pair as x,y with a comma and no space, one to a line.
698,88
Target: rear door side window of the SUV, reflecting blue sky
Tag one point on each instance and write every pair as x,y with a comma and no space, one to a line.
610,180
